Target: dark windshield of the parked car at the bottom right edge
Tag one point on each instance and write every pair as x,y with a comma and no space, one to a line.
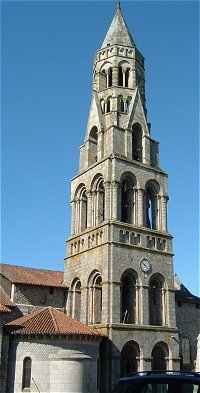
172,387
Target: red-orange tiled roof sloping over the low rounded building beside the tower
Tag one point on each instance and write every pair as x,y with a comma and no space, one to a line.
49,321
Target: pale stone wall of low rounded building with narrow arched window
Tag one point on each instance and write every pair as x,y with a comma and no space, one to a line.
58,365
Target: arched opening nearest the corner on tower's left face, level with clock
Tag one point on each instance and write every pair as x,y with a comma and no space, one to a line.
95,299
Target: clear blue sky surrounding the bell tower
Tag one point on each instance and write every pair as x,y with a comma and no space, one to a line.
47,51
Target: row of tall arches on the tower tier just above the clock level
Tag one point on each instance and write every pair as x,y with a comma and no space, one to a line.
141,207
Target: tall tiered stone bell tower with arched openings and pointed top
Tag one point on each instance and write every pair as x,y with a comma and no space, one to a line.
119,267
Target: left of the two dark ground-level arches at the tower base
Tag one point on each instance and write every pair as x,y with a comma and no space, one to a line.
130,356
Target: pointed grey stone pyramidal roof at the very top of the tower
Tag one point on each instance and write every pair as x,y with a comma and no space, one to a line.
118,32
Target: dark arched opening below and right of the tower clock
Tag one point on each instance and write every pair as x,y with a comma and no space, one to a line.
156,301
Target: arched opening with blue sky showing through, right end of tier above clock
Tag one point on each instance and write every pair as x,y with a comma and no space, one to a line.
151,199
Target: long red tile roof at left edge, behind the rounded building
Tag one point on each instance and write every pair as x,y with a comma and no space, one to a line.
32,276
